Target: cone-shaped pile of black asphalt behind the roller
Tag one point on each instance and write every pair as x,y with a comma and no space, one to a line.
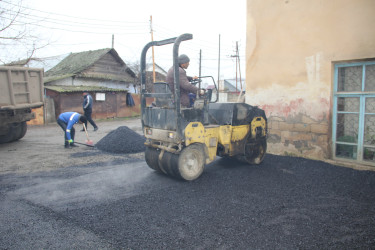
122,140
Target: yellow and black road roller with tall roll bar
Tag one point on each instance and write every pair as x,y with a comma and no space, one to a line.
181,141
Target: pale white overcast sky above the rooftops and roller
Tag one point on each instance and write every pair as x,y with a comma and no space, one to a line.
81,25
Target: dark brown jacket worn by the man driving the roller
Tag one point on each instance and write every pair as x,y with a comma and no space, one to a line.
185,86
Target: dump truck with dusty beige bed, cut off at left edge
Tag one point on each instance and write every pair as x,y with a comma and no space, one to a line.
21,90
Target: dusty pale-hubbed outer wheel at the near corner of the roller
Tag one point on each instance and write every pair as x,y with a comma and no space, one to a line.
191,162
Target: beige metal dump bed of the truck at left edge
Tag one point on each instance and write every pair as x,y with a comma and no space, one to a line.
20,87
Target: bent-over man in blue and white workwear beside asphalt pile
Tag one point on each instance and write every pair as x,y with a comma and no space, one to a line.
66,121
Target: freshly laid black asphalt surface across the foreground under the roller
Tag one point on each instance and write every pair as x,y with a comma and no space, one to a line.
285,203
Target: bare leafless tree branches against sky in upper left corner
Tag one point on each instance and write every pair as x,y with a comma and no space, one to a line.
18,39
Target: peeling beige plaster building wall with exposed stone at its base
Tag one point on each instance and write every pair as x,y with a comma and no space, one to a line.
291,49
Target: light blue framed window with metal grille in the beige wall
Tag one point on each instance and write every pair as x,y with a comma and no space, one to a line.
353,133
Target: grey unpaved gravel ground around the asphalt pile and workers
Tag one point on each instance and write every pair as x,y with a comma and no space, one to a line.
42,148
